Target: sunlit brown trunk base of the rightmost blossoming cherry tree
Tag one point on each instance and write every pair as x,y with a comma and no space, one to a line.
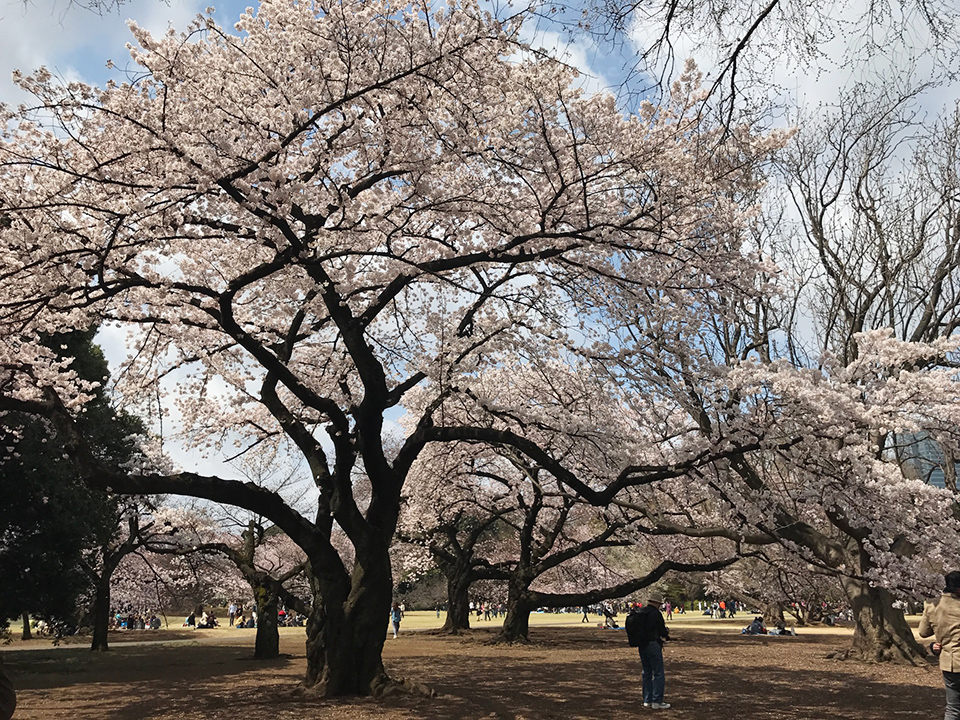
881,633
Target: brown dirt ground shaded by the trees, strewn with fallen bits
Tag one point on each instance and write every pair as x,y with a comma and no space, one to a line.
568,671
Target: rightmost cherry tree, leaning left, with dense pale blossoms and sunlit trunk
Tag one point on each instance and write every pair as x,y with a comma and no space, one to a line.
836,492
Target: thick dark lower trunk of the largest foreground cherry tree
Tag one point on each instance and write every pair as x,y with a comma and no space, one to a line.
347,627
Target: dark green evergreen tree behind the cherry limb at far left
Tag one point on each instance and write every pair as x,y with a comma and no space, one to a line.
55,526
